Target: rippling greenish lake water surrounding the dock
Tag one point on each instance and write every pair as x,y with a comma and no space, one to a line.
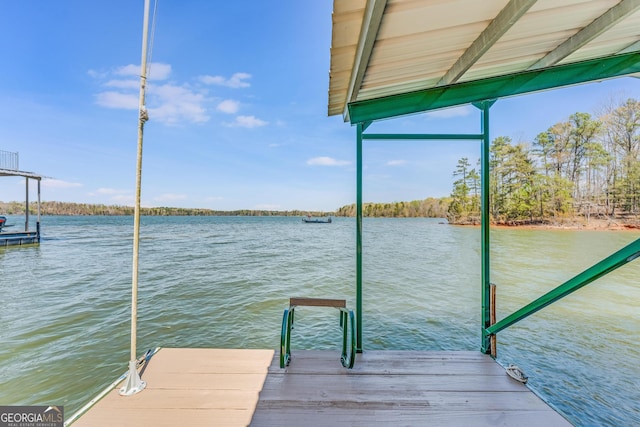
224,282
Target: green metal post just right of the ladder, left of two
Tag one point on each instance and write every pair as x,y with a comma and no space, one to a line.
361,127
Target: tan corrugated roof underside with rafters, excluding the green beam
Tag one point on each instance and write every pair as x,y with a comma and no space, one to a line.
390,47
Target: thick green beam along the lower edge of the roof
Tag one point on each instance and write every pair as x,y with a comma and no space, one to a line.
494,87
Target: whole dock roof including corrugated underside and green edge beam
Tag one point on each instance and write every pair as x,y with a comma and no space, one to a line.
393,57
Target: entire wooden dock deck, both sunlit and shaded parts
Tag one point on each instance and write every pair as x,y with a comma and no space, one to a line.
217,387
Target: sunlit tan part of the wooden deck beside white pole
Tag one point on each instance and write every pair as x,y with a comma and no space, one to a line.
189,387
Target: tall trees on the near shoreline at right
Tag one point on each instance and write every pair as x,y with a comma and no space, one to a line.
582,167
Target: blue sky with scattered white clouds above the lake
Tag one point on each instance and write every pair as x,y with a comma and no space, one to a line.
237,97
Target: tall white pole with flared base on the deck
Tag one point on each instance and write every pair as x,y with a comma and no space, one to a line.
134,384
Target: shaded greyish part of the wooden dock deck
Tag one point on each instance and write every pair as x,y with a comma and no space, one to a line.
399,388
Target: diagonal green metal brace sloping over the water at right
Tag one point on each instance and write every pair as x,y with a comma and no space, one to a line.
606,266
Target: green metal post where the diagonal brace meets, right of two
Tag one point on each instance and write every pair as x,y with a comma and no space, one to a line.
485,224
